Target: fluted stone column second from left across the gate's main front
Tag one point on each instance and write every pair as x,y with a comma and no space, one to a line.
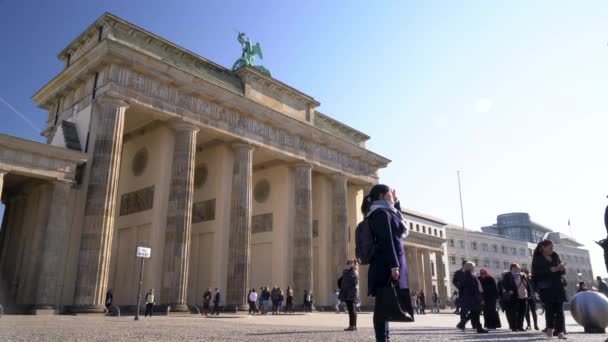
179,218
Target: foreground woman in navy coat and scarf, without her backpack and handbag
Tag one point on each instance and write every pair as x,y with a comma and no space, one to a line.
383,210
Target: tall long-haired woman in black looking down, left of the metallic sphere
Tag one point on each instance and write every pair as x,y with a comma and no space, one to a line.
548,270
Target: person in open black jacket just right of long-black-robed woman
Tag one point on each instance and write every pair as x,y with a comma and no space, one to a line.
517,289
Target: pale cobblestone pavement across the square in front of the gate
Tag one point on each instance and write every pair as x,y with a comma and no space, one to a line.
323,327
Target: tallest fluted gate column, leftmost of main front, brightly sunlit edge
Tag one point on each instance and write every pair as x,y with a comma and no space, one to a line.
100,206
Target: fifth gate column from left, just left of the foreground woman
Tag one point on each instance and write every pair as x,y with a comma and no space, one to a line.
339,224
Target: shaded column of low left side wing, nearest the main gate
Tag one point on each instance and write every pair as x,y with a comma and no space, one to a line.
54,247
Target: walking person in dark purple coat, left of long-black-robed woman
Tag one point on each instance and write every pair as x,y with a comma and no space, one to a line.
471,295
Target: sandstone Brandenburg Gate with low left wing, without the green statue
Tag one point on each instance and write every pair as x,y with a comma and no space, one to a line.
233,179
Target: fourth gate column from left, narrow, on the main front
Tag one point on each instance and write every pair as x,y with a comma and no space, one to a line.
302,232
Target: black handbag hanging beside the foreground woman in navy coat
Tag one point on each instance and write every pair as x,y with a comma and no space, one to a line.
394,304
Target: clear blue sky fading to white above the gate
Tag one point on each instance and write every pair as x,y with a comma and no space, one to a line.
509,93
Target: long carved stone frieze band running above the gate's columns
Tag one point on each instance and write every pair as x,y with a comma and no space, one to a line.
238,123
